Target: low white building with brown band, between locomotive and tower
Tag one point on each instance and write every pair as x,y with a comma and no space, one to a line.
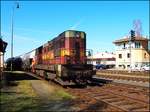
106,58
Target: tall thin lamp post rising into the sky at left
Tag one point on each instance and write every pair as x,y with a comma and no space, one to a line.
16,5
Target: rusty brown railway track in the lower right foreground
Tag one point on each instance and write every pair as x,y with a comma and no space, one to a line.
112,97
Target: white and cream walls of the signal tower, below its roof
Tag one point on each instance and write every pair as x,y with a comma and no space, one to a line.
139,56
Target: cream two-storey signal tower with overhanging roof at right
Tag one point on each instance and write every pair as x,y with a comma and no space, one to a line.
136,55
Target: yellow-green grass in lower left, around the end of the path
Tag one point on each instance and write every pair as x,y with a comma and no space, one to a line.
19,96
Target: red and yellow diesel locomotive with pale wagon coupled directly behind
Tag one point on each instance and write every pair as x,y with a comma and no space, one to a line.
62,59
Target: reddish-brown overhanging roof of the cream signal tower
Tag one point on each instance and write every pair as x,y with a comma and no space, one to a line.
127,39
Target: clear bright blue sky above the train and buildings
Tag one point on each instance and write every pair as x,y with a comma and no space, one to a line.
37,22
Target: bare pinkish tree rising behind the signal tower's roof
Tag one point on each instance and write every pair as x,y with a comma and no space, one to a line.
137,26
